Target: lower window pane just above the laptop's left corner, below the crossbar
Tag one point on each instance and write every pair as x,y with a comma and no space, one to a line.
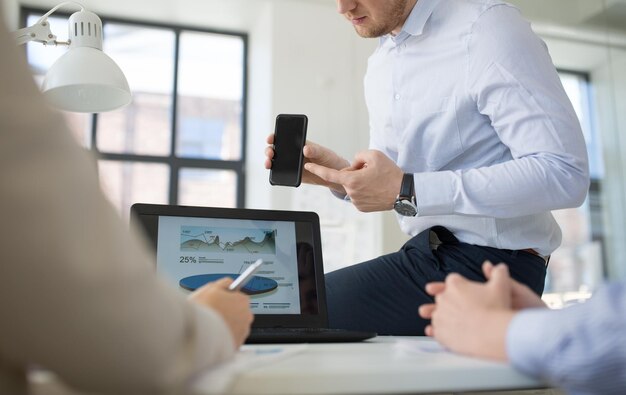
126,183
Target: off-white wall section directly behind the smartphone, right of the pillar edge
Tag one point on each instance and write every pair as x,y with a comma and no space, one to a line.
318,66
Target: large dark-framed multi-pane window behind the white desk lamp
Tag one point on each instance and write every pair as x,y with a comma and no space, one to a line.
182,139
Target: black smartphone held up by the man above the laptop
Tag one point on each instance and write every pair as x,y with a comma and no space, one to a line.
289,140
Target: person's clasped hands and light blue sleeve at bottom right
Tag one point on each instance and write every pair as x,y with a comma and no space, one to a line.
581,348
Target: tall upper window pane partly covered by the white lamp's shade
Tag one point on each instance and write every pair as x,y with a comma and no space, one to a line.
146,56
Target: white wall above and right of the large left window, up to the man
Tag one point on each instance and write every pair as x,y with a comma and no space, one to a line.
304,58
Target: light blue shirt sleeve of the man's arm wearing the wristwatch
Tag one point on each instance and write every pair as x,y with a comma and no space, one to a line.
514,83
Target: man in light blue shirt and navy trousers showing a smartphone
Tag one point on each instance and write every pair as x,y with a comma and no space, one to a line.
472,141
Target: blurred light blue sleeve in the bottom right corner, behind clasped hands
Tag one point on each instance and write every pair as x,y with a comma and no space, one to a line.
581,348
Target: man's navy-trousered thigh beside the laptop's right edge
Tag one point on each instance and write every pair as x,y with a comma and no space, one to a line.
384,294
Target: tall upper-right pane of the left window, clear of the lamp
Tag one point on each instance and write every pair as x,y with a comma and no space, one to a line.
210,91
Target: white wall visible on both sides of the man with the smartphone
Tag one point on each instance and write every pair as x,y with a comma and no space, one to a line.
305,58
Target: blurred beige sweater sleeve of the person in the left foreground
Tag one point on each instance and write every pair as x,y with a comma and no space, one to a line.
78,293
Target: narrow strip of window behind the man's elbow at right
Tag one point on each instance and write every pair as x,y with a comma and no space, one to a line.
578,264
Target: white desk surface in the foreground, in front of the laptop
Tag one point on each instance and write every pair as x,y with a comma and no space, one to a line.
384,365
